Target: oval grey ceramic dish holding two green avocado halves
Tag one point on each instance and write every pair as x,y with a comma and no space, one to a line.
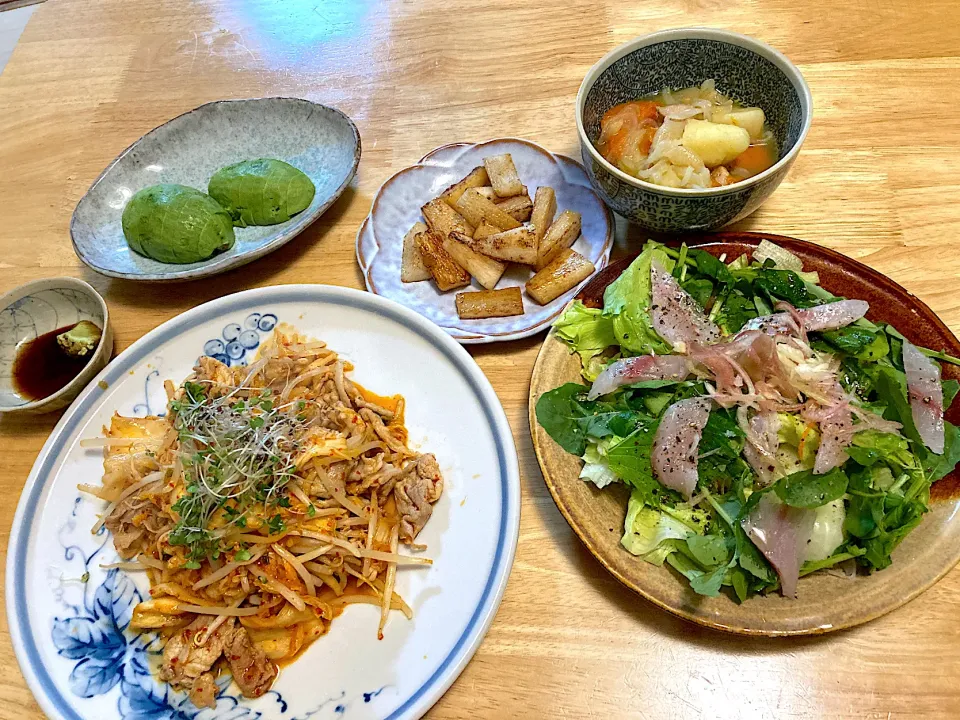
319,140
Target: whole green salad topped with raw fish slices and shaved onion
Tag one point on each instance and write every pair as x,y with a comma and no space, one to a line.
765,428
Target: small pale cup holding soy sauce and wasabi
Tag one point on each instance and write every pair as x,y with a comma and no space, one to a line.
40,307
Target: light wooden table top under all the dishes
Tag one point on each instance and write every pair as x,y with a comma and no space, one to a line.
877,179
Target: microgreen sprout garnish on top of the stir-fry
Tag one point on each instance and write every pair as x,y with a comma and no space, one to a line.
238,451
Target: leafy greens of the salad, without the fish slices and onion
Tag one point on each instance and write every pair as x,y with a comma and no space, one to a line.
864,508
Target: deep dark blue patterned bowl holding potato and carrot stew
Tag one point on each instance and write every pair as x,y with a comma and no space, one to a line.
748,70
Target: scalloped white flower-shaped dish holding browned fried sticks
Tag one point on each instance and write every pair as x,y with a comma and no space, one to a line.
397,207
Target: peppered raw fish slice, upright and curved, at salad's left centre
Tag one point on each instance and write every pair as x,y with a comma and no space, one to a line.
676,443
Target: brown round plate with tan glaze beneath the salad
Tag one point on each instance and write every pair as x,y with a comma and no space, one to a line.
825,602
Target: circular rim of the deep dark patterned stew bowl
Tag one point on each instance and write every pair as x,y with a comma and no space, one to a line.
779,60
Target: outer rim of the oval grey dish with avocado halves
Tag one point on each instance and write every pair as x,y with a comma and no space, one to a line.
221,263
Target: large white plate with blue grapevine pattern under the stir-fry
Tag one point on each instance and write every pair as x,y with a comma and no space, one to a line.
69,617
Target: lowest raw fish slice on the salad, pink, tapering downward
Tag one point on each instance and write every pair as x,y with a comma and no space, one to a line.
781,533
